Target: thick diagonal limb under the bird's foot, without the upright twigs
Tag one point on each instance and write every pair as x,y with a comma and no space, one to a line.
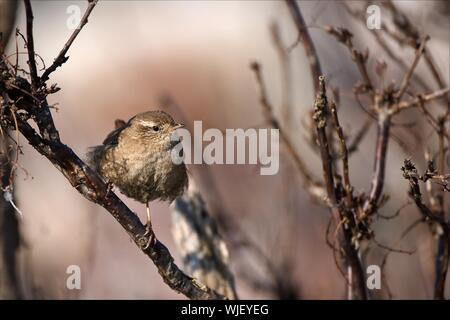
92,187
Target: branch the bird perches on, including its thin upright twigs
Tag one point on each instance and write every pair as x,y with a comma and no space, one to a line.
21,106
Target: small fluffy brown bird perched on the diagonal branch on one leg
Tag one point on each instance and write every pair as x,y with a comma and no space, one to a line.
137,158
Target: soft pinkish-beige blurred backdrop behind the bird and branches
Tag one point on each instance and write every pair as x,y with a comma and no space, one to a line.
133,53
